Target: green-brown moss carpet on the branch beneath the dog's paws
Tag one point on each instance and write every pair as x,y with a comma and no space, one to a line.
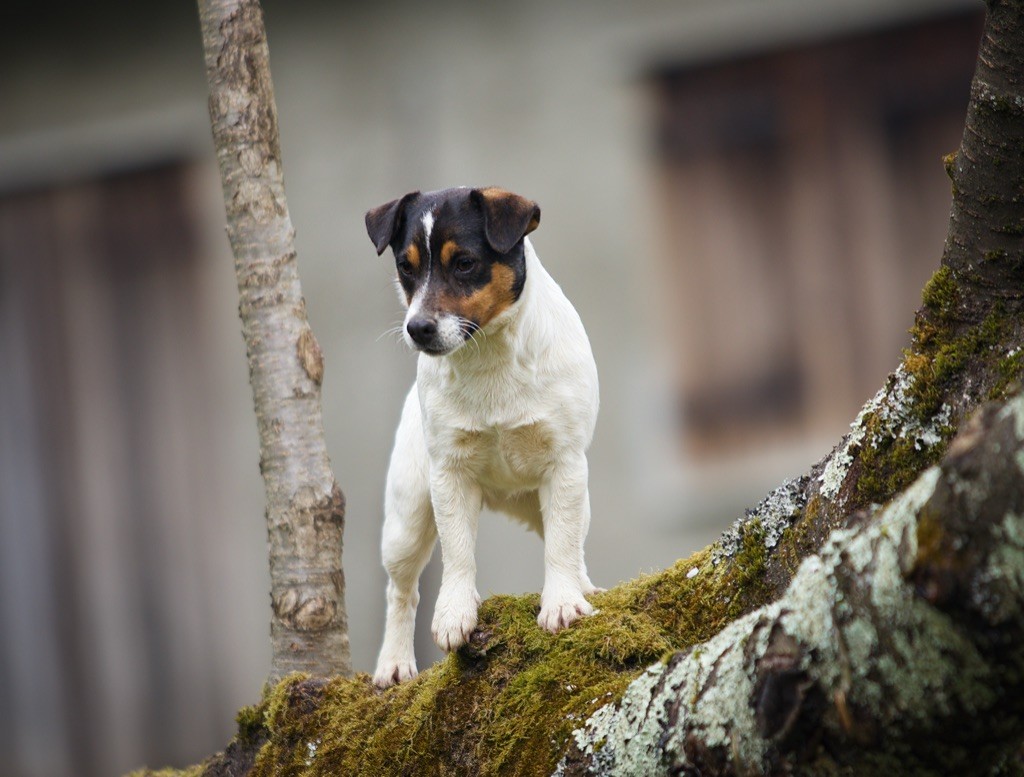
507,705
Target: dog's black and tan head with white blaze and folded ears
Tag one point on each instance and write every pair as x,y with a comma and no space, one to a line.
460,258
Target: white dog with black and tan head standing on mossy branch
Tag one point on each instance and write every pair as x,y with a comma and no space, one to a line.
502,412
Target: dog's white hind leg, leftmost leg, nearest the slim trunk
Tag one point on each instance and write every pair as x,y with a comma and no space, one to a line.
409,540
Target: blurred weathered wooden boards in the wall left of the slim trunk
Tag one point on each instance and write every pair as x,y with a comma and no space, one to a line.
109,466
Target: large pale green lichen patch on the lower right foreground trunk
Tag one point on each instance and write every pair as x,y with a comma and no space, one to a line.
711,687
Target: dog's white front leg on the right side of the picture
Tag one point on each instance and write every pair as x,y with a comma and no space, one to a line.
566,507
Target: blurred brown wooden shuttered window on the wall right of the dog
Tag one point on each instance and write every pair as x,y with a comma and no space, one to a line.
805,205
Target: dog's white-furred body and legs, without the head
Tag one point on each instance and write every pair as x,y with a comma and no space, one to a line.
504,421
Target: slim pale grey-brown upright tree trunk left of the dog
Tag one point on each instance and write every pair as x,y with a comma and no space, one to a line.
306,507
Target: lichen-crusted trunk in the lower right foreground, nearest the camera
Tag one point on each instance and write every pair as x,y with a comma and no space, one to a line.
898,651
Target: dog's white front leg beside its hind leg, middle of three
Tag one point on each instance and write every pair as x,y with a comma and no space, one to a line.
457,500
